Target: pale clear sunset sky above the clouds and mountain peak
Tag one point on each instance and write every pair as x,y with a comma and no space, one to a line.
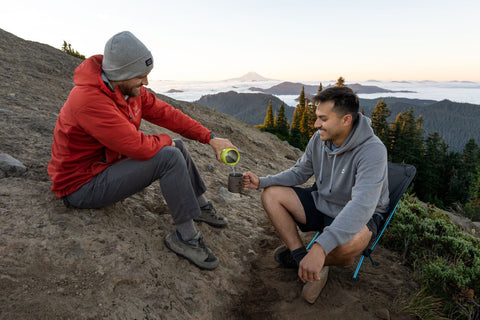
289,40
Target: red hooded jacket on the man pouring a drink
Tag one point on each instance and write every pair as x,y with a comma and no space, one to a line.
97,128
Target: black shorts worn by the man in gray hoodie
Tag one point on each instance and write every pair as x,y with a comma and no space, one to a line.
317,220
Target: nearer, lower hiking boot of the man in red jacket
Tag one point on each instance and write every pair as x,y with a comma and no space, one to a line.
194,250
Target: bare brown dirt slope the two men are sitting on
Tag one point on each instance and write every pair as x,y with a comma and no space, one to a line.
111,263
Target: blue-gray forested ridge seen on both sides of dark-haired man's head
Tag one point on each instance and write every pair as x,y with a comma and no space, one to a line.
440,116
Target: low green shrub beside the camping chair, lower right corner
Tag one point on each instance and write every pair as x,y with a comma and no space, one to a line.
446,260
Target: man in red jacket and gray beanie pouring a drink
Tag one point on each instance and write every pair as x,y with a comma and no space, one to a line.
100,157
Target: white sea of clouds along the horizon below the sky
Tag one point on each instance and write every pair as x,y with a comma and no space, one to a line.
458,91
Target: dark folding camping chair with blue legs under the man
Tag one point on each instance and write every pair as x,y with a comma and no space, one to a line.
399,178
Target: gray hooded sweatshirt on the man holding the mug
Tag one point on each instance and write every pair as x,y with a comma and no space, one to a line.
352,181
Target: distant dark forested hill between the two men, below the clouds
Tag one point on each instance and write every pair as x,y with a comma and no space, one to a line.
247,107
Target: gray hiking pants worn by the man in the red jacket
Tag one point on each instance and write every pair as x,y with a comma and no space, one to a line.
179,178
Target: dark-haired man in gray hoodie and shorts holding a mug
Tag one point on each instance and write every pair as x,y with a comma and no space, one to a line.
346,202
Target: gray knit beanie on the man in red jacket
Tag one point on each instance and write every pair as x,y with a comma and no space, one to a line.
125,57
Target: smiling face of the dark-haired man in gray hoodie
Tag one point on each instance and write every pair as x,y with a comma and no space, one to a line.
330,125
